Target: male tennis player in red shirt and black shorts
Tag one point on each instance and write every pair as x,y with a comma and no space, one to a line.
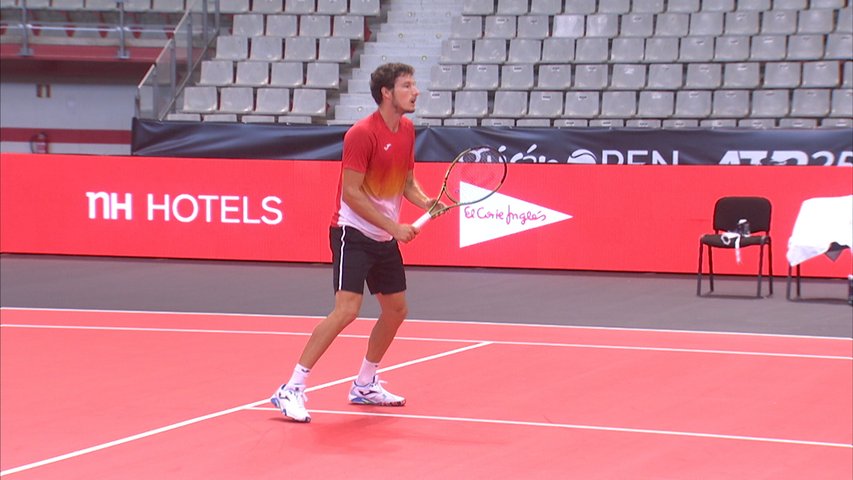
376,174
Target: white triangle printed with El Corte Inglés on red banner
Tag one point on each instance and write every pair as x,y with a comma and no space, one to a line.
499,216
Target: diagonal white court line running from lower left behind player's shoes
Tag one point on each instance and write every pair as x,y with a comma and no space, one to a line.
202,418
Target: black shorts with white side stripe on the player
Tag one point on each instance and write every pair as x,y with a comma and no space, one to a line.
357,258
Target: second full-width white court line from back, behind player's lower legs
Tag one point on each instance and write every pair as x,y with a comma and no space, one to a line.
432,339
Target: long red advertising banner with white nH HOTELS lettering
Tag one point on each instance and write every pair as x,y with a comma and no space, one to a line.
548,216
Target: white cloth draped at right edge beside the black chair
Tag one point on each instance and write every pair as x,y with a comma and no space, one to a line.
821,222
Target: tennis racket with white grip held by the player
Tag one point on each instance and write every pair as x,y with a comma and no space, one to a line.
478,171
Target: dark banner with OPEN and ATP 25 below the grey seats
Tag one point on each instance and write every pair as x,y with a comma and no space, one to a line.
602,146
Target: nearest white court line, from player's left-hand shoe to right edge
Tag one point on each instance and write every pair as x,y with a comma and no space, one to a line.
580,427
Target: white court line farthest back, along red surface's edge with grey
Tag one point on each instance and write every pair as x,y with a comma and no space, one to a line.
453,322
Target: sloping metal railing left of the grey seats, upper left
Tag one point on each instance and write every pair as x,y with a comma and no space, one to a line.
195,33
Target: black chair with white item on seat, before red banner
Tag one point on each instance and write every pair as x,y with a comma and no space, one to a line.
729,212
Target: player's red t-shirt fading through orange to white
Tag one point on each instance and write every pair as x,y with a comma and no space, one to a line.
385,158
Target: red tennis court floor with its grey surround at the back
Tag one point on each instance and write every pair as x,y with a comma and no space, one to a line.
132,393
